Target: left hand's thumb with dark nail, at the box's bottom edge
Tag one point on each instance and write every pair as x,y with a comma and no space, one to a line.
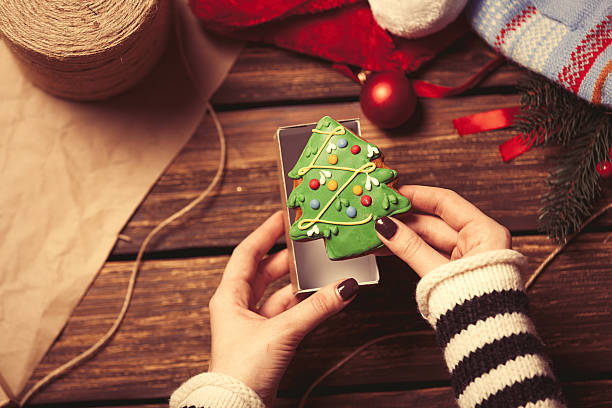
329,300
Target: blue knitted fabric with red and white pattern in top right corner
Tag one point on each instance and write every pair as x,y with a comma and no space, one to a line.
568,41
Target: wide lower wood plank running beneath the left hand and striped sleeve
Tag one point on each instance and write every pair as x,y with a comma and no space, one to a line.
165,338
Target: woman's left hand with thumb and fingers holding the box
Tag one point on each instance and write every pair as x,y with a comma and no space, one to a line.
255,345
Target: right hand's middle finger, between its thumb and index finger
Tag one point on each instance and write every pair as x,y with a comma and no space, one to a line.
433,230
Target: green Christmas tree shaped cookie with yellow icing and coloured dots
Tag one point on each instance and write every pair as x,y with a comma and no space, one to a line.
341,188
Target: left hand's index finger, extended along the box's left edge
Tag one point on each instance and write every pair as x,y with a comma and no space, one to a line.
245,259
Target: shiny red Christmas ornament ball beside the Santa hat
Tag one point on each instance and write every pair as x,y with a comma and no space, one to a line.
387,99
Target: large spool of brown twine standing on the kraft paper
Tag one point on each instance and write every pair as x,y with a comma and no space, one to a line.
85,50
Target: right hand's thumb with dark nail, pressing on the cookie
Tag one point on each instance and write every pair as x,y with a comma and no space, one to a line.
406,244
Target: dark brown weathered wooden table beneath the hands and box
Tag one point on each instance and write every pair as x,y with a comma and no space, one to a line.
165,338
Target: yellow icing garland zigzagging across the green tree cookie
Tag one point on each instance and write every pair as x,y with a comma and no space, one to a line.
367,168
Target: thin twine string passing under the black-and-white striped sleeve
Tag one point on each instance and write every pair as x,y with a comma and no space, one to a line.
386,337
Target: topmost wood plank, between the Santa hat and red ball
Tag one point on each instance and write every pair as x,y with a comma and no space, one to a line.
265,74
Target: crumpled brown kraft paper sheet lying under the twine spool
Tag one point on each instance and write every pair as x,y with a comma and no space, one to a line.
71,174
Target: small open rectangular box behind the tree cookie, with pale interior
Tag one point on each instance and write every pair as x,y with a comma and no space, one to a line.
310,267
